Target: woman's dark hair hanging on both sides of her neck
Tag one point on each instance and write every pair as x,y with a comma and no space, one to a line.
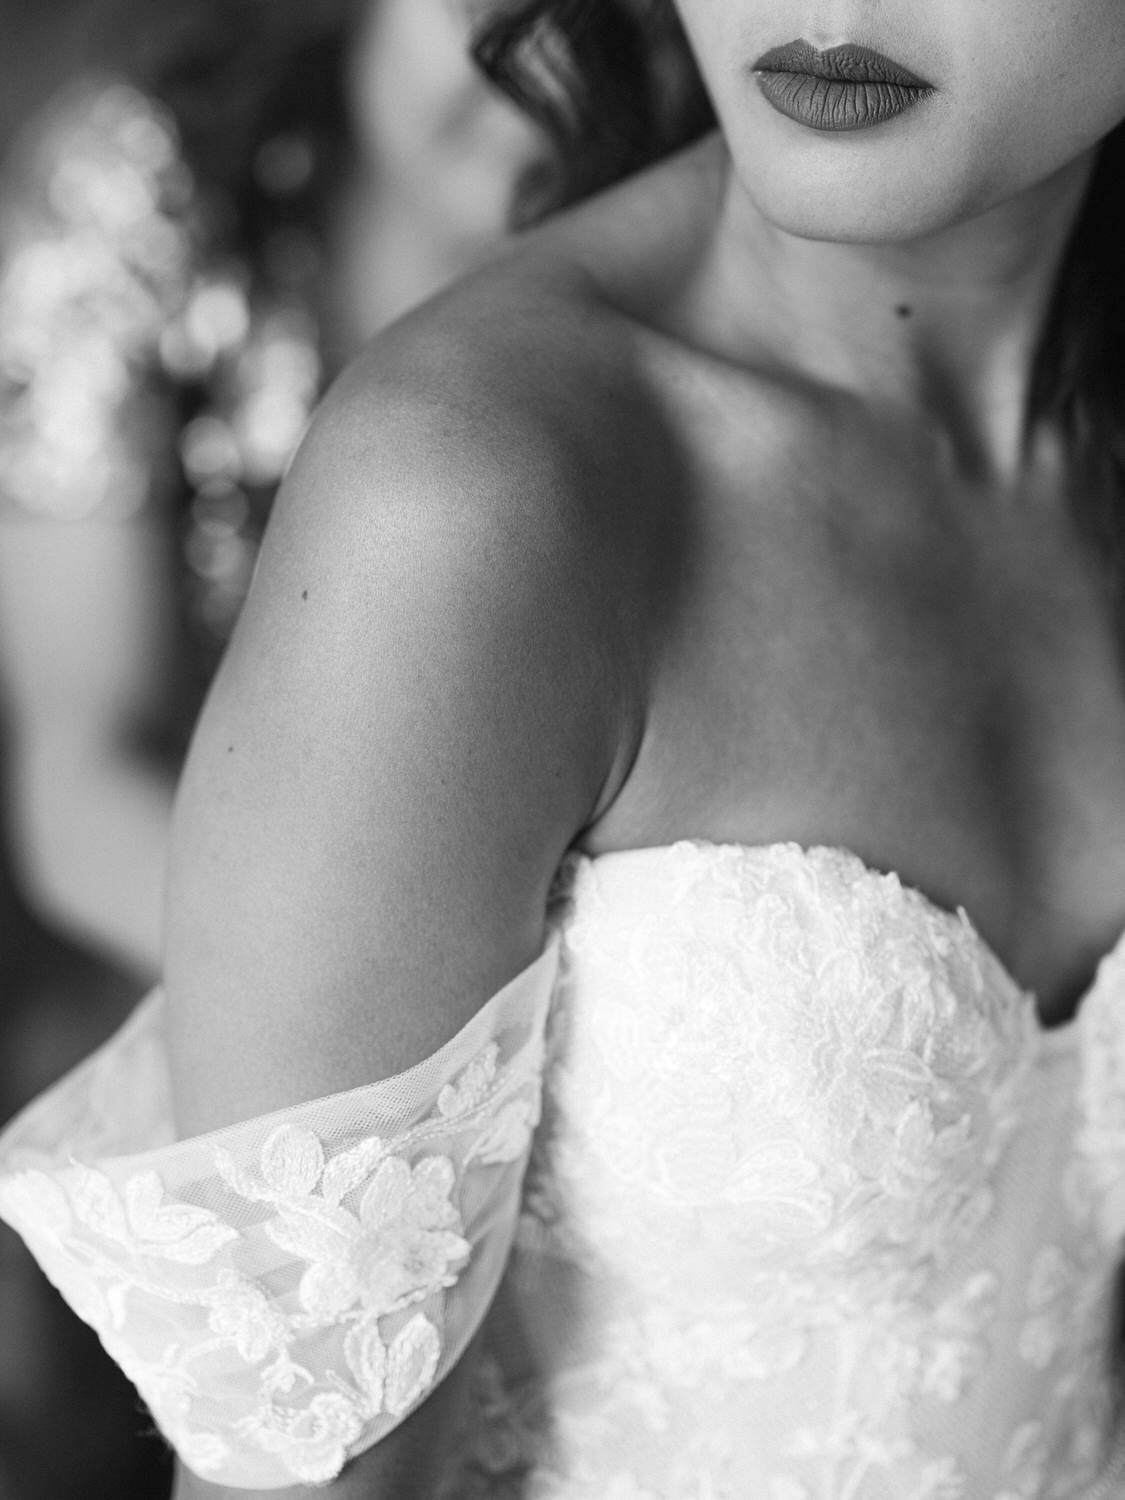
616,86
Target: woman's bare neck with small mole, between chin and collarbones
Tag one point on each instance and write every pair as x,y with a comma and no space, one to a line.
946,326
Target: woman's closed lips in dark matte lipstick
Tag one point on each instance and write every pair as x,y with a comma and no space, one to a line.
842,89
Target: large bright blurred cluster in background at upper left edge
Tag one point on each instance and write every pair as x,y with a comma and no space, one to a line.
97,253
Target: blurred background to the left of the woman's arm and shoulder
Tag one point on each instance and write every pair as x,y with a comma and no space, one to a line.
206,209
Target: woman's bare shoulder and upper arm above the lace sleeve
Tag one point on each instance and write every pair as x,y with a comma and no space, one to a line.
440,676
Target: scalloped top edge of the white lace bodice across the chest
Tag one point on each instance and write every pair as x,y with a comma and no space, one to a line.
1051,1037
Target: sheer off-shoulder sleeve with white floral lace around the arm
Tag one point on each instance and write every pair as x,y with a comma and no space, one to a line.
286,1291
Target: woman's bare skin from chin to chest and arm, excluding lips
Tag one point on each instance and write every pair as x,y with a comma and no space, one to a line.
713,512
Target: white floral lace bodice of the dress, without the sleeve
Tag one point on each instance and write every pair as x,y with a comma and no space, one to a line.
797,1123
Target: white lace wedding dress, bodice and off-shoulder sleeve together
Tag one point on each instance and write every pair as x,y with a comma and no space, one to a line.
764,1183
